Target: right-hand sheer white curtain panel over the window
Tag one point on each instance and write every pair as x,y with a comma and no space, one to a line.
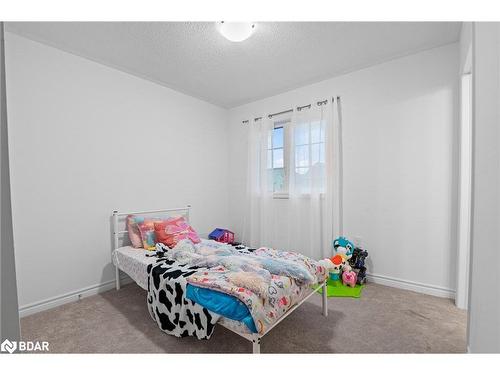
309,192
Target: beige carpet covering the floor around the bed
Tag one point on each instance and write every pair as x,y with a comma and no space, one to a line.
383,320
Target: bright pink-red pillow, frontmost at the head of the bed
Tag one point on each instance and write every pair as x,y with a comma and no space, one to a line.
169,232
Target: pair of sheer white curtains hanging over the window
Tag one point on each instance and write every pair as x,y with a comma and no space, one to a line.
294,178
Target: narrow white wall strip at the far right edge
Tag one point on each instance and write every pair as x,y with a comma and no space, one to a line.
484,299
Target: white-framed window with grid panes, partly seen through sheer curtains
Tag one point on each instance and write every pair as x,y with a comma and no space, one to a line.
307,166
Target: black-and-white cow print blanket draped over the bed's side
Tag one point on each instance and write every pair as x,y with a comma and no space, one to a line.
168,306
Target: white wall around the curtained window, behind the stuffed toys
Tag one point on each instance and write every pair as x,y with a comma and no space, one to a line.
400,164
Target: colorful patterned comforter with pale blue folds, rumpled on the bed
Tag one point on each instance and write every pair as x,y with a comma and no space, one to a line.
267,281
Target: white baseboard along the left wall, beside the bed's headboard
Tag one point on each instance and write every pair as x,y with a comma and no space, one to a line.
70,297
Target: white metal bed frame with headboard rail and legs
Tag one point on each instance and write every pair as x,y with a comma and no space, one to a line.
255,338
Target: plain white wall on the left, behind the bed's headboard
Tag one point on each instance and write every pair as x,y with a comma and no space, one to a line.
86,139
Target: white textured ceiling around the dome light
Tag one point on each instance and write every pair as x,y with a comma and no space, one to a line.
195,59
